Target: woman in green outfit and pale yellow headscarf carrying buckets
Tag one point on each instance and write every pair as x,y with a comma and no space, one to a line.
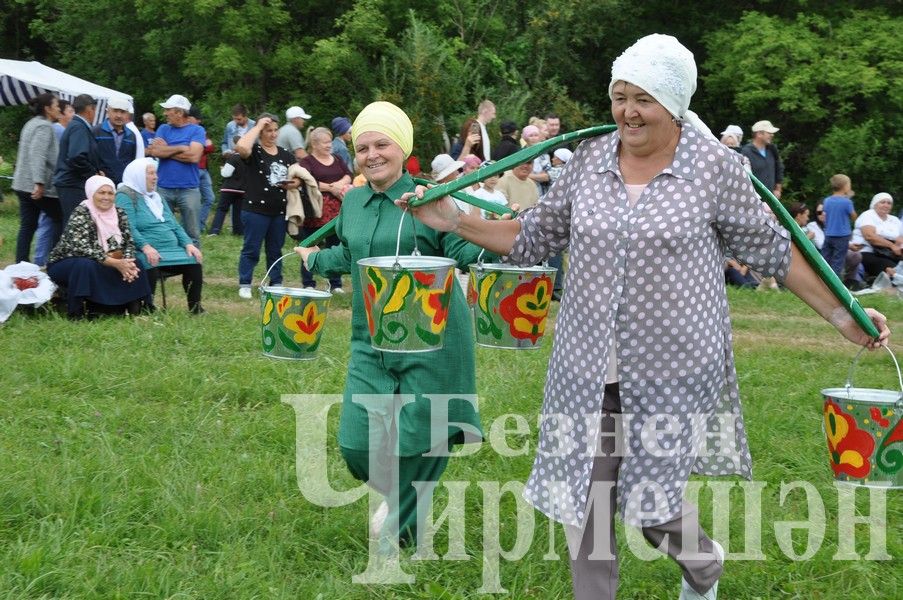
401,412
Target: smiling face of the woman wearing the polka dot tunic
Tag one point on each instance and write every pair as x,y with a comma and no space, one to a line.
645,126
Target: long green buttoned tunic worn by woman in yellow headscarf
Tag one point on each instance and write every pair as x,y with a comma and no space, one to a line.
367,226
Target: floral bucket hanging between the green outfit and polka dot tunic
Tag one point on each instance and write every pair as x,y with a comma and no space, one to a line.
510,304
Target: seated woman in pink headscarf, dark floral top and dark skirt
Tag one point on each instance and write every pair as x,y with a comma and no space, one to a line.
95,257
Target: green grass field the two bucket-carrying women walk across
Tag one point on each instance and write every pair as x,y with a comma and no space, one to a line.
152,458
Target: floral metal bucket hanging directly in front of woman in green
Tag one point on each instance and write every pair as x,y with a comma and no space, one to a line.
406,299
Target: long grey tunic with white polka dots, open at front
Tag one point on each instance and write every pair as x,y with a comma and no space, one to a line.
651,277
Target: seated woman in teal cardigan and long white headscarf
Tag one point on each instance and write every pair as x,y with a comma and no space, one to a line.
163,246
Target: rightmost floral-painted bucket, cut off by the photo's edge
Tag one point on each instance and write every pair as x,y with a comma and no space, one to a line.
864,431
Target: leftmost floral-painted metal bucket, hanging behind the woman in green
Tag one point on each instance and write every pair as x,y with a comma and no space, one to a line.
291,320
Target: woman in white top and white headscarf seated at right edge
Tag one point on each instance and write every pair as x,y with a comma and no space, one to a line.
881,236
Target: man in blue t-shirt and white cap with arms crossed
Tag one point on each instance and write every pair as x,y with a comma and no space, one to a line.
179,145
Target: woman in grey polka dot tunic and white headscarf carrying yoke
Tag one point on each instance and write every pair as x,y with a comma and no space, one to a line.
648,212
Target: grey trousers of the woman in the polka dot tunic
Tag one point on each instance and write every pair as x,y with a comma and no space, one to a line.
594,565
